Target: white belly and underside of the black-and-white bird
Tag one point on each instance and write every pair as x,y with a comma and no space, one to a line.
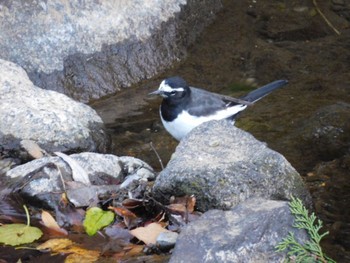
185,122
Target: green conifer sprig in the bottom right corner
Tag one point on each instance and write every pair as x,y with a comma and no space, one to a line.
311,251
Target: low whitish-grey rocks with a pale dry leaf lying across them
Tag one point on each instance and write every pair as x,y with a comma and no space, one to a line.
41,180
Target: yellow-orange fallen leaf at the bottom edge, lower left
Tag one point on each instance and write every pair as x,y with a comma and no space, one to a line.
66,246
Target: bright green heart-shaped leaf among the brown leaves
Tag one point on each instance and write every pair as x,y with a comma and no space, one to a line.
96,219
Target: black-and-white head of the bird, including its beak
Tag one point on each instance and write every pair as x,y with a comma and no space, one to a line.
174,87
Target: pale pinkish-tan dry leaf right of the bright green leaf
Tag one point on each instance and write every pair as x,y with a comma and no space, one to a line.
149,233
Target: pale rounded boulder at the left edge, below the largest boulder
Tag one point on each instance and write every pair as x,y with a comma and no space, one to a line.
54,121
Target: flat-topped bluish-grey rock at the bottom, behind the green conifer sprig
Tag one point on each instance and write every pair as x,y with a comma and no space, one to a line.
248,233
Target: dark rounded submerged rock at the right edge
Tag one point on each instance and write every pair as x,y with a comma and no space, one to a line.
326,134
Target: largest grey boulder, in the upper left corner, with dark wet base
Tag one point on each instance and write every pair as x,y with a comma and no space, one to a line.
92,48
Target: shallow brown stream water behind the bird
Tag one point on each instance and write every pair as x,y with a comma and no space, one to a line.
250,45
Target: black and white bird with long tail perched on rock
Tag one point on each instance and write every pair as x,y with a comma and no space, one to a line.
184,108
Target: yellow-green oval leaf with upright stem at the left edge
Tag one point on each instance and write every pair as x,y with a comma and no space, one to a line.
17,234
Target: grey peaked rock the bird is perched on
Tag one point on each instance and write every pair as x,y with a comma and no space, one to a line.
223,166
